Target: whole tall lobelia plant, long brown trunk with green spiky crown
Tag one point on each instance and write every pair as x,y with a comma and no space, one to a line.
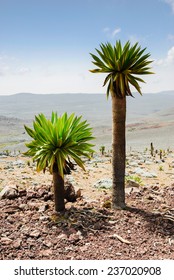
123,66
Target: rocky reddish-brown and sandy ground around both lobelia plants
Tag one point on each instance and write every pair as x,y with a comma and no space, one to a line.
89,228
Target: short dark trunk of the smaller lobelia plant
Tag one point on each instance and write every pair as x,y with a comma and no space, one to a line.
58,183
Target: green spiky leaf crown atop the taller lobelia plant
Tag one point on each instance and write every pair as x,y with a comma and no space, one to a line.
122,65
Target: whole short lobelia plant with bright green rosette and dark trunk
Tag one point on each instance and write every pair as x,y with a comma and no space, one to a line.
55,143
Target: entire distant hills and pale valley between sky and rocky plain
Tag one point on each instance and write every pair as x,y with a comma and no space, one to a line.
149,117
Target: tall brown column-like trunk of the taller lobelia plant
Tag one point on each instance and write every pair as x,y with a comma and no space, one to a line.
118,151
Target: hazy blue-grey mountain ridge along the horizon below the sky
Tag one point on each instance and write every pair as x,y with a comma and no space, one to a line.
91,106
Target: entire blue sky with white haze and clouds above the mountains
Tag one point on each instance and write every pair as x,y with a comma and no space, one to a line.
45,44
